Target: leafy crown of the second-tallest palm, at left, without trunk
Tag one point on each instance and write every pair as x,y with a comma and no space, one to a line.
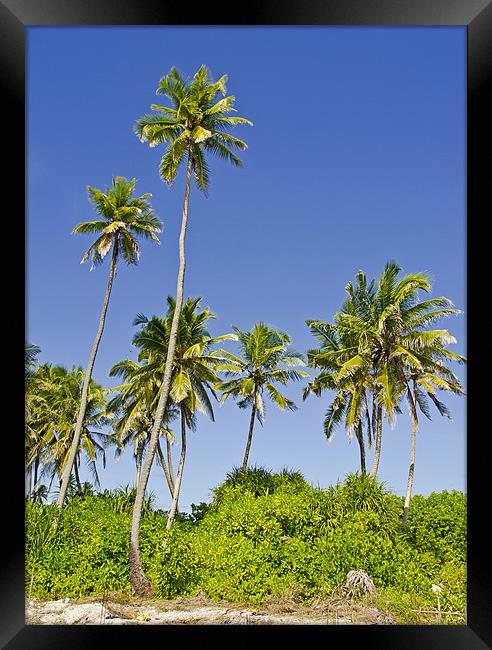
124,219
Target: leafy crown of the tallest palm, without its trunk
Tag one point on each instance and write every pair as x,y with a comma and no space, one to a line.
198,122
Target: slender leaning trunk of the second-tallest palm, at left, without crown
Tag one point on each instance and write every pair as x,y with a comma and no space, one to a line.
85,387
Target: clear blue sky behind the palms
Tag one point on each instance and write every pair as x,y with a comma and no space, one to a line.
356,156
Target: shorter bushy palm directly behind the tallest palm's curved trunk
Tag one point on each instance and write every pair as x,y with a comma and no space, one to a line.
192,378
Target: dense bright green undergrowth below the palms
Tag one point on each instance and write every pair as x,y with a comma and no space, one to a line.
261,535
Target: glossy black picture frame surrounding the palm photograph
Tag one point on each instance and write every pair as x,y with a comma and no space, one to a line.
476,16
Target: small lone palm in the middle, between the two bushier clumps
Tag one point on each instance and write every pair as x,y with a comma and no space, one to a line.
265,361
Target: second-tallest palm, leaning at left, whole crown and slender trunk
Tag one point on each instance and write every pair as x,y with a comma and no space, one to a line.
124,218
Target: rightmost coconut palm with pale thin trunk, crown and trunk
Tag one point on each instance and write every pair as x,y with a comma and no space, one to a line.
405,352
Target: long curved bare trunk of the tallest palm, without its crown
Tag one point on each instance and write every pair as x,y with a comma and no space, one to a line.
140,584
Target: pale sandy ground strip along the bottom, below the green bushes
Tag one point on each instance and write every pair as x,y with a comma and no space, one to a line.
115,610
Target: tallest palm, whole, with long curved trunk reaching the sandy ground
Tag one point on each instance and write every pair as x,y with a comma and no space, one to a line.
196,124
